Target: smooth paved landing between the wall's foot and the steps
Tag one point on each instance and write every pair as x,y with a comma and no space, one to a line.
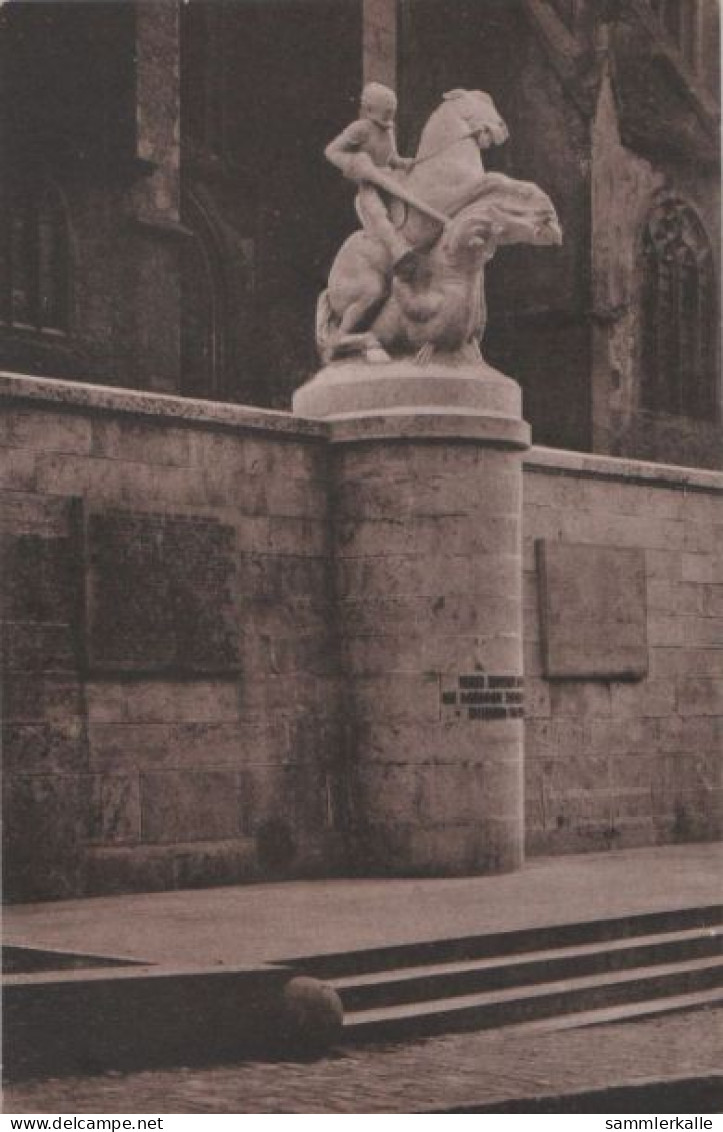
256,924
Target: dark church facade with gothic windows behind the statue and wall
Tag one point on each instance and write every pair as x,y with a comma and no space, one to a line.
170,219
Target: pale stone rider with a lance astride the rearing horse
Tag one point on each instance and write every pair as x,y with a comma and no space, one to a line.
365,147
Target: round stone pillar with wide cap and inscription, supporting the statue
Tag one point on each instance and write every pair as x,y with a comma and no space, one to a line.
427,467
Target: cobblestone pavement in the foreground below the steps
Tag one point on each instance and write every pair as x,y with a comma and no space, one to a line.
414,1078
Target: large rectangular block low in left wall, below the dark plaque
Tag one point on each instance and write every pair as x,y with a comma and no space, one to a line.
190,805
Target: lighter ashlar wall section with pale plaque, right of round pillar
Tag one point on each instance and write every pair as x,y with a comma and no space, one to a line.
624,740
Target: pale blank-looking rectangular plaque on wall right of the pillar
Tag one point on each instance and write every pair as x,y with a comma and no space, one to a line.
592,612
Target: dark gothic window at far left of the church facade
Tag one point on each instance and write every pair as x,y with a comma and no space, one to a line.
36,282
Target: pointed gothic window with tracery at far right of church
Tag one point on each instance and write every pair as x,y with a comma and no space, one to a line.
679,325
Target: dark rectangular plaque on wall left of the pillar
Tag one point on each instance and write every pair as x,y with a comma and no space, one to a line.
161,594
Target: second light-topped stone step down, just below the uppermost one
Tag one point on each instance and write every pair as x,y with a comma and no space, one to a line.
494,1009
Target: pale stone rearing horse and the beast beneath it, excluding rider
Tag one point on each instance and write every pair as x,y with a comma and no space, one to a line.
440,306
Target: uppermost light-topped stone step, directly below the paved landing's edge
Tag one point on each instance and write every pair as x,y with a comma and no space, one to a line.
438,981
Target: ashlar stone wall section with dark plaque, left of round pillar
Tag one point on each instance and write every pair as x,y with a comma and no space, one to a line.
170,685
